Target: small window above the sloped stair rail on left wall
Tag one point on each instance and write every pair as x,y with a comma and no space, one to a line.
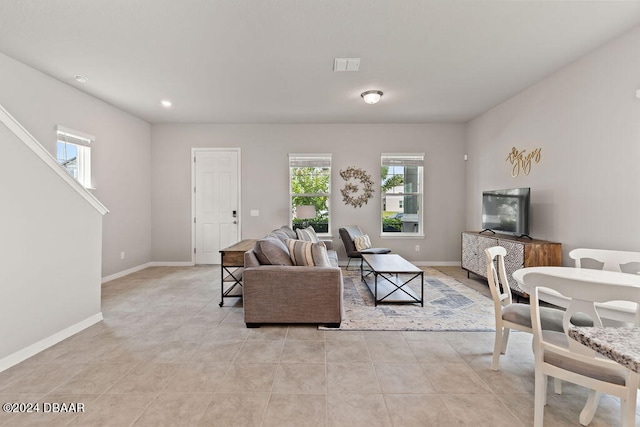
74,154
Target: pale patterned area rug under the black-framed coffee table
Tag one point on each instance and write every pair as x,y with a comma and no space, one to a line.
448,306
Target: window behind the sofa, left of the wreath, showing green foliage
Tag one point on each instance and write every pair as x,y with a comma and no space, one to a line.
310,185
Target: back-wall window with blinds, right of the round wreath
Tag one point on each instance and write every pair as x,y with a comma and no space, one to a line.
401,192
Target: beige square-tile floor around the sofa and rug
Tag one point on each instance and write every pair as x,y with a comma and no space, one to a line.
167,354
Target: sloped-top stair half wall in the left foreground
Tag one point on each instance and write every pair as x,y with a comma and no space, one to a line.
50,247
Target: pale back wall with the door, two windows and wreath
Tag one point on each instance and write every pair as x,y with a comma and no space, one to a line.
265,177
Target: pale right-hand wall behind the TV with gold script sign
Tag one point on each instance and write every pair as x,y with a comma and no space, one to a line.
586,119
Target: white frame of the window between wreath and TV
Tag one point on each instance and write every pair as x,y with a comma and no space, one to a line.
404,160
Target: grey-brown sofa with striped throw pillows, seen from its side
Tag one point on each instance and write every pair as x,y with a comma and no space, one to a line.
276,291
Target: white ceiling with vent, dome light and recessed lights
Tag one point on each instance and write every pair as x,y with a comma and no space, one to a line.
271,61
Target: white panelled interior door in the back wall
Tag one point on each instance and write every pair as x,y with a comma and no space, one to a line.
217,214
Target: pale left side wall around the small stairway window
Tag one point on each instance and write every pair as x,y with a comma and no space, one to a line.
120,154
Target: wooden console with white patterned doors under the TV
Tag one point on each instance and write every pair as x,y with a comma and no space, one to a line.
520,253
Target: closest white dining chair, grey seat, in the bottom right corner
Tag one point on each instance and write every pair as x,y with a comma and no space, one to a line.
561,357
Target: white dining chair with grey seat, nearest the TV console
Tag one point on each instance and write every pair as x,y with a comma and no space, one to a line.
510,315
